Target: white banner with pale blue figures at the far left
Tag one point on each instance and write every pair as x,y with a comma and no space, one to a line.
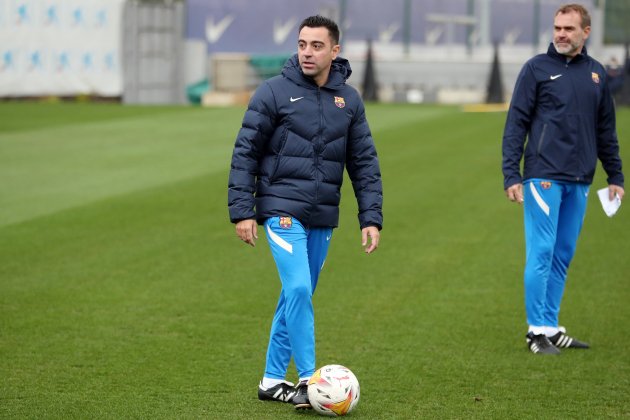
60,47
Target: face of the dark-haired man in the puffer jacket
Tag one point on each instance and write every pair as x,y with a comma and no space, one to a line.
316,53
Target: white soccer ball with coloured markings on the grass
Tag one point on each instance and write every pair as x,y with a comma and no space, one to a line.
333,390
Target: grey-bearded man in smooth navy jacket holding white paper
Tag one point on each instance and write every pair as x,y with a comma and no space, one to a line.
563,105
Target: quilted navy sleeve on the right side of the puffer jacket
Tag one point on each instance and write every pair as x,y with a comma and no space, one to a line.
364,171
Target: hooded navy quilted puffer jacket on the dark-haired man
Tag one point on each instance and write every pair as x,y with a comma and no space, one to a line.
290,153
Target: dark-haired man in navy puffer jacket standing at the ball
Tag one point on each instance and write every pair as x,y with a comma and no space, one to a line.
300,131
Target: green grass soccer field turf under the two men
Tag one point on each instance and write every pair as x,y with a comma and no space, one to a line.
124,292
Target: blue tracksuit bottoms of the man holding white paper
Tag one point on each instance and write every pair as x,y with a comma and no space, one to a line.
554,213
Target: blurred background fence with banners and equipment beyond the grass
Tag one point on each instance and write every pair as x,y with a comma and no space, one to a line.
218,51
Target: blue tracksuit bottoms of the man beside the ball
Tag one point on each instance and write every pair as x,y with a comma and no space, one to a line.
299,254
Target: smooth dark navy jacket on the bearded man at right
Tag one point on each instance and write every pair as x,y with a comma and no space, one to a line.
566,112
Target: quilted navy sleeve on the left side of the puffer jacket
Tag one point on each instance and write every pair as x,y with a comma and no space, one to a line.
256,129
